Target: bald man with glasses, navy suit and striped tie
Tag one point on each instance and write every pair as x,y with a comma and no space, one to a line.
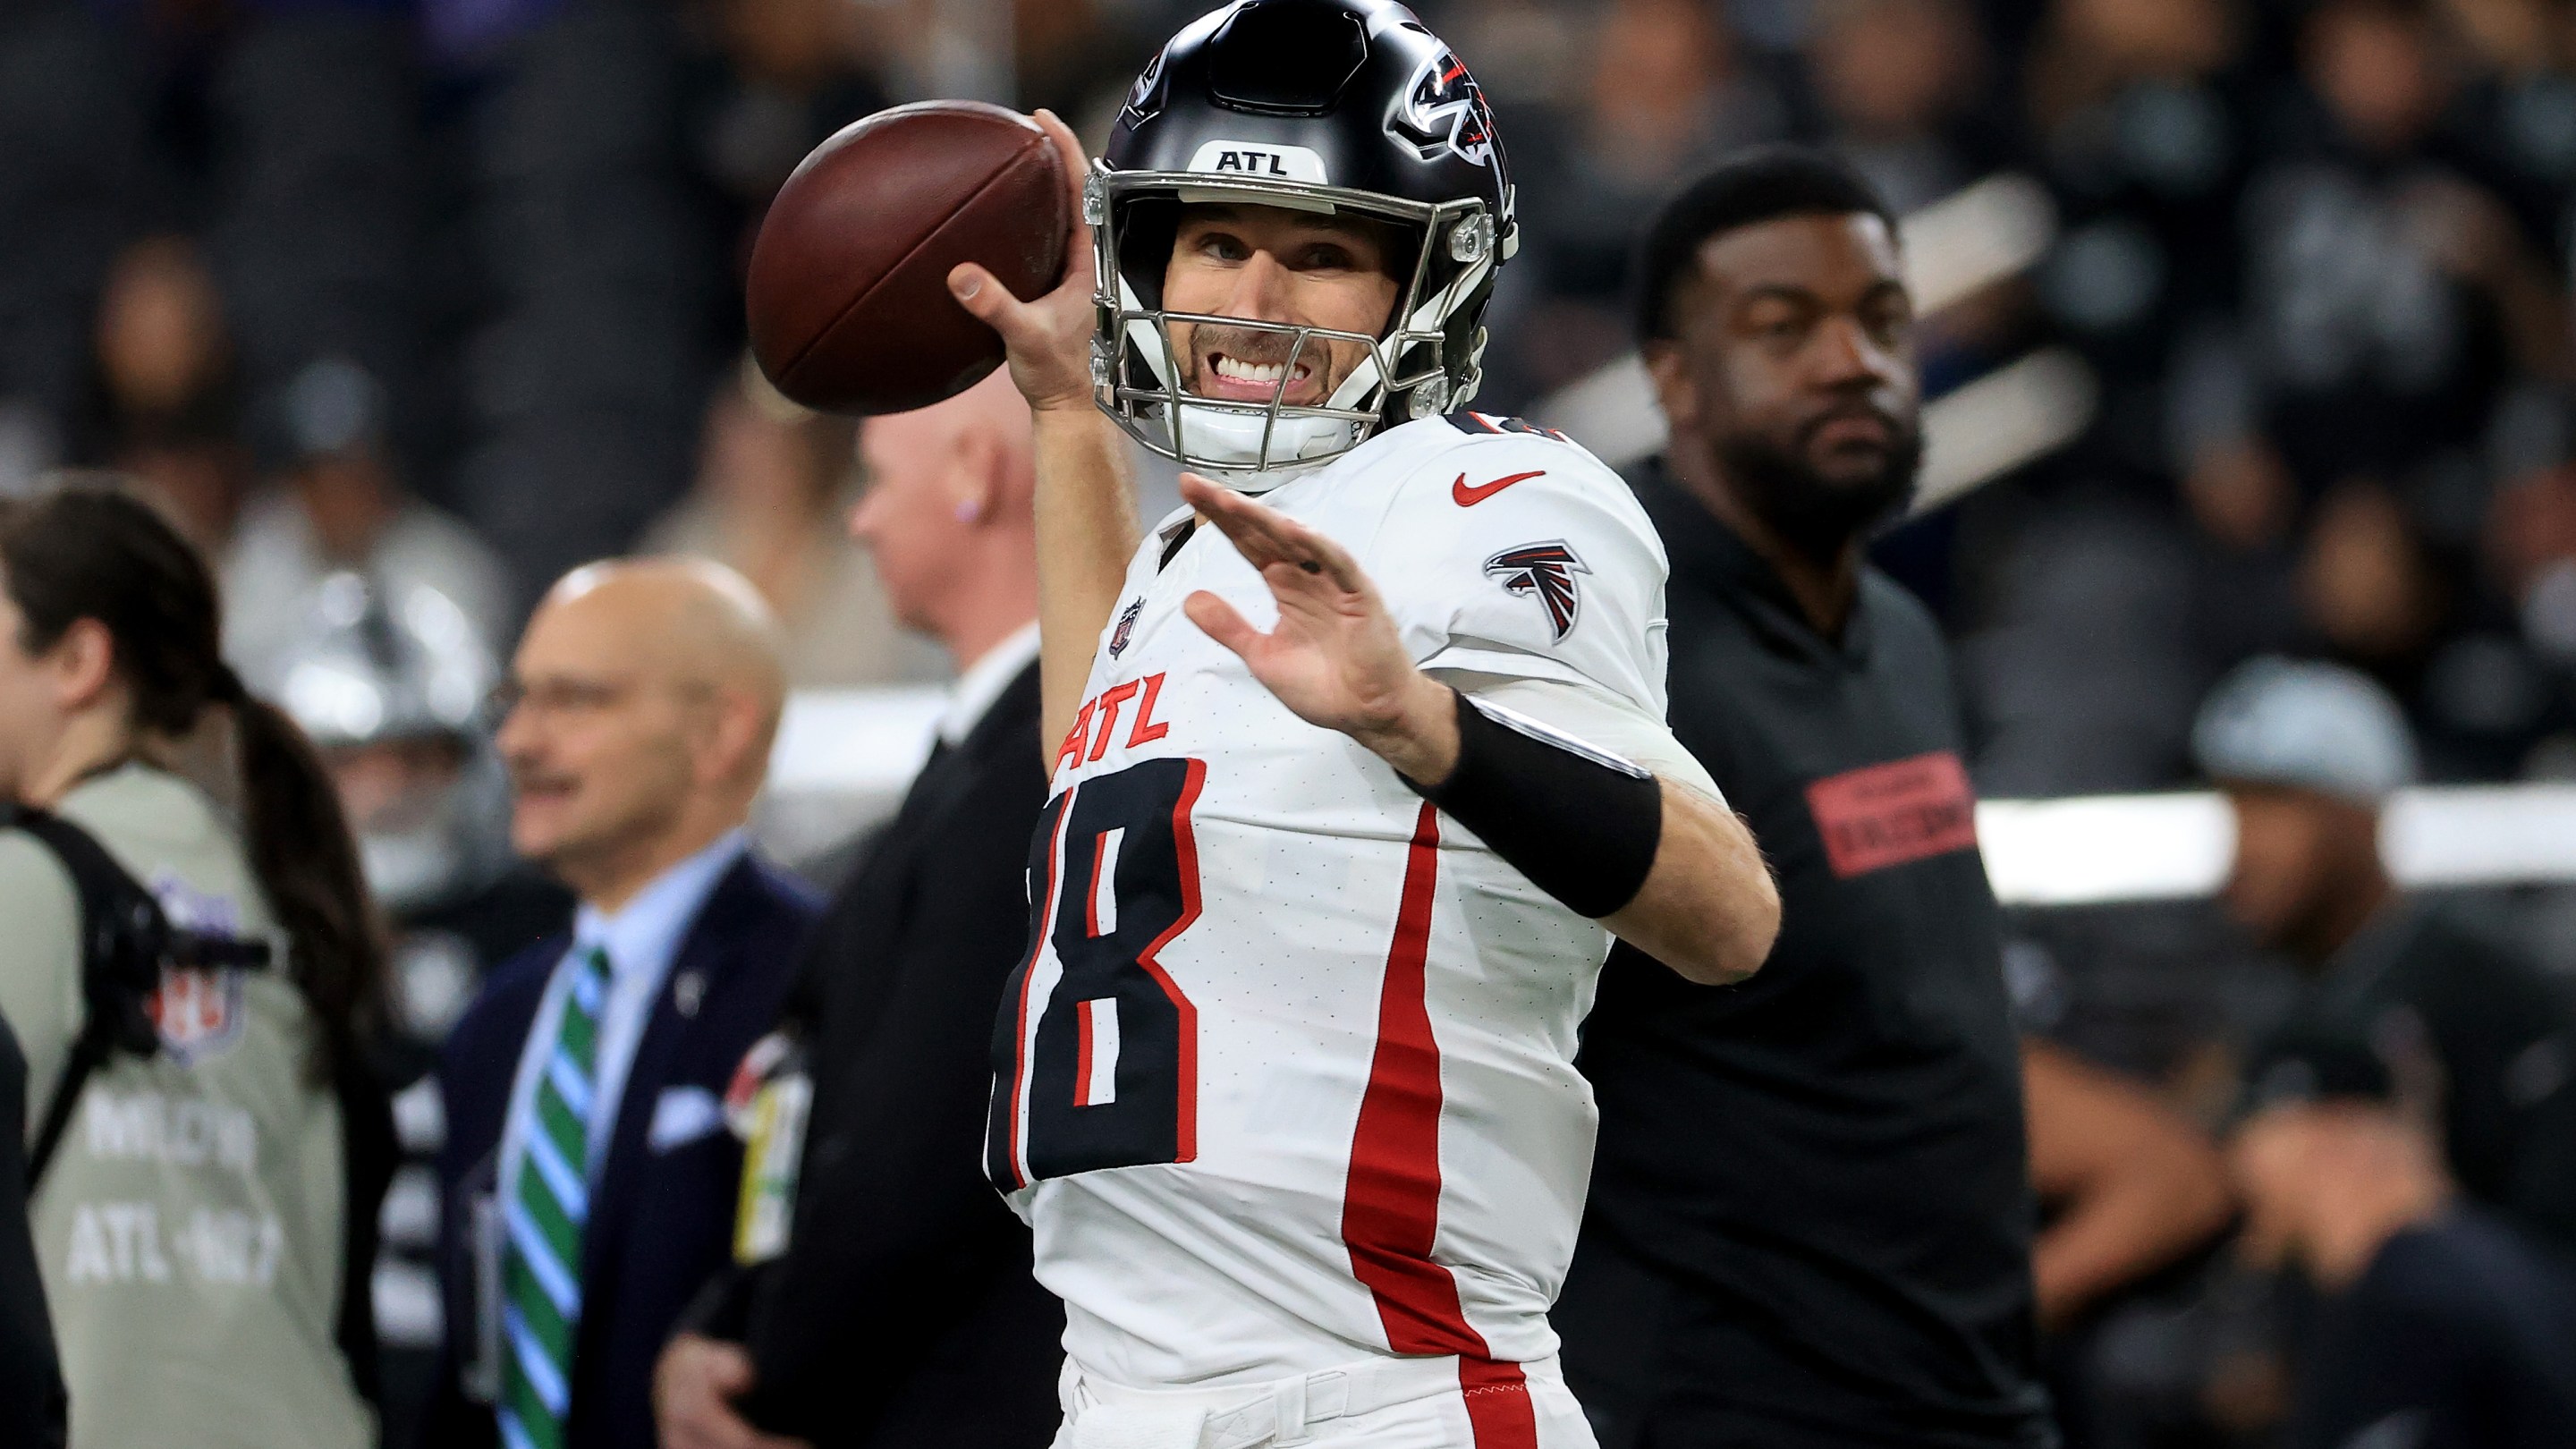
589,1180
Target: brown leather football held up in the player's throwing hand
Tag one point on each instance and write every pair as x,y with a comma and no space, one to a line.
849,295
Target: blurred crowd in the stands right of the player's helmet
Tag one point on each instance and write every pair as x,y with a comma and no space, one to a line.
2315,257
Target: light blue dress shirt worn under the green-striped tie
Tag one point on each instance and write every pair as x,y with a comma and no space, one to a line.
640,942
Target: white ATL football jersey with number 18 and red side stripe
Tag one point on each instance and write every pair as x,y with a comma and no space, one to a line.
1289,1071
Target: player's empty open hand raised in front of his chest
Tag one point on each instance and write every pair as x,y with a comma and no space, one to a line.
1336,656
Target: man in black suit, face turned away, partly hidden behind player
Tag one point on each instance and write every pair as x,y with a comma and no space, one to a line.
903,1308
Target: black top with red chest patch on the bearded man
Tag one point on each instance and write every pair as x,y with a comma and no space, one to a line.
1812,1213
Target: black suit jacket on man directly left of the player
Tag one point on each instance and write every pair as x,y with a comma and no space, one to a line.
903,1311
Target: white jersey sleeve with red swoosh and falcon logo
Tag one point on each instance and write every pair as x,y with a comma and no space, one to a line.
1555,574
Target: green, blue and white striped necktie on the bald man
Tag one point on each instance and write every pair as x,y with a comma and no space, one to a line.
542,1267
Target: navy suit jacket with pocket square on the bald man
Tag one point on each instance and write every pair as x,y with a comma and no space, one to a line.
661,1223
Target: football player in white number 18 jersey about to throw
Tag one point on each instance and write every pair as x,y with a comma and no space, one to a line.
1361,767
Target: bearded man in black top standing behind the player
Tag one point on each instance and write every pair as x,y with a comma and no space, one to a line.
1812,1211
